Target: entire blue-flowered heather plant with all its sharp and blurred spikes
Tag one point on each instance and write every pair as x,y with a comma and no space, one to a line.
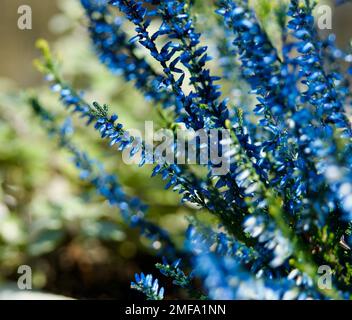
285,204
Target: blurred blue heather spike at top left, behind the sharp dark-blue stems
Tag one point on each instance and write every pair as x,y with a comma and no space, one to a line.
119,55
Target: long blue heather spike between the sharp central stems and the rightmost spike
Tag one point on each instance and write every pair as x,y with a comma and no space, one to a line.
261,68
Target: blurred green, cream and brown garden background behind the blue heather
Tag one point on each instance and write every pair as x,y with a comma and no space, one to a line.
49,219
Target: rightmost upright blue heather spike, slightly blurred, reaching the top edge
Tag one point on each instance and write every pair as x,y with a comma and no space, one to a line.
322,113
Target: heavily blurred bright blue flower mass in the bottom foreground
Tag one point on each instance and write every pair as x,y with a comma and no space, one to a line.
226,279
